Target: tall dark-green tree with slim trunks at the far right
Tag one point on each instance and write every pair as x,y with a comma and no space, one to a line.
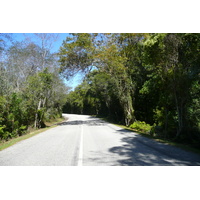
167,55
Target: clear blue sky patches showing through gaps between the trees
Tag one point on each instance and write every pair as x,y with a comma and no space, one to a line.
73,82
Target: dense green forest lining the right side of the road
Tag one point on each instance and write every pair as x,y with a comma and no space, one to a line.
145,81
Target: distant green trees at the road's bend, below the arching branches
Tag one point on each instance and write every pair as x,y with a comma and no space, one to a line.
95,96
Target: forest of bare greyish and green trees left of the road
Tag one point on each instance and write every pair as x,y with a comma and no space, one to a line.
31,89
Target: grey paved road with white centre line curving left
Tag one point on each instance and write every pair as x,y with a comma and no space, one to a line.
87,141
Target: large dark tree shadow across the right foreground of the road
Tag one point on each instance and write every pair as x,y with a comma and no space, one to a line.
140,151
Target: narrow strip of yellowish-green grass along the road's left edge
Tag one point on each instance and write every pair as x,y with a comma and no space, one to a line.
31,133
